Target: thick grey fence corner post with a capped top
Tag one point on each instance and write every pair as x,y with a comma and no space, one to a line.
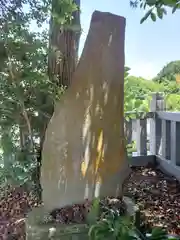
157,104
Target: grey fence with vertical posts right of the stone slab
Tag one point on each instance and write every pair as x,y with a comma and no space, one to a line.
157,136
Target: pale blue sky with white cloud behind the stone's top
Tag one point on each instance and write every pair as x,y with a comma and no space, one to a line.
148,46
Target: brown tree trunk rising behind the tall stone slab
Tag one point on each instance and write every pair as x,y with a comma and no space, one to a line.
62,60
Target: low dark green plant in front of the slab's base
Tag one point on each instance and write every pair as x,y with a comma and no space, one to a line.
112,225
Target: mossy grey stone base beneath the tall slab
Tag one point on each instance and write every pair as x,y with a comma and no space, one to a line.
38,226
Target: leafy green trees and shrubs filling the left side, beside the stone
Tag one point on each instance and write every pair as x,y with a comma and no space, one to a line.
26,94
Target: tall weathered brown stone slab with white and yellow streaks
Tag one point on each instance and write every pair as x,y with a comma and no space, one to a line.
84,150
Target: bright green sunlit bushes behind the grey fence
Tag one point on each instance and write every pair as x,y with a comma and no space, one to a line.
138,93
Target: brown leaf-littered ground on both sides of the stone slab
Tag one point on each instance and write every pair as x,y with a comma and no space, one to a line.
157,195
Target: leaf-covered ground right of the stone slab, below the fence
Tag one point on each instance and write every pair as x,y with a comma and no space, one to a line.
158,196
